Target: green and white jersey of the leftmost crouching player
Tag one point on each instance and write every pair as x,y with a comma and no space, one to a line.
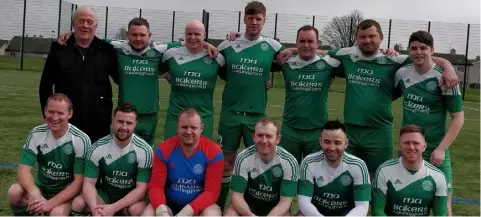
58,159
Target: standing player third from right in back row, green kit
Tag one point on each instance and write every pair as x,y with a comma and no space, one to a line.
307,79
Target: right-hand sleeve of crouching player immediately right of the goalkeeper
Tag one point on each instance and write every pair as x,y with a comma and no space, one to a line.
291,175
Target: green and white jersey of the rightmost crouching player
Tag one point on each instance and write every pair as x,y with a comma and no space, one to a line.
400,192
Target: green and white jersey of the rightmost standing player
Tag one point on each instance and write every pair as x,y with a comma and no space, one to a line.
426,103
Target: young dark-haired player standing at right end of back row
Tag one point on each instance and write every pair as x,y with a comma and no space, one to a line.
426,104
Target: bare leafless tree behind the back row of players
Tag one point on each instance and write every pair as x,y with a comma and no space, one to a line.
341,31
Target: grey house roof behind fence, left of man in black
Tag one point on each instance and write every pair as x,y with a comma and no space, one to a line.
32,45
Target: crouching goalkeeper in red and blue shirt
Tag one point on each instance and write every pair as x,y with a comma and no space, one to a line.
187,172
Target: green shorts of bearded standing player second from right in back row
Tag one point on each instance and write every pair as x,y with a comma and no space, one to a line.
373,145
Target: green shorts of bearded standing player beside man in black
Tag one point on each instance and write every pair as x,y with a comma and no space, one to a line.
146,127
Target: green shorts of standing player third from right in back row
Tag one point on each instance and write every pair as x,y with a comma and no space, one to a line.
300,142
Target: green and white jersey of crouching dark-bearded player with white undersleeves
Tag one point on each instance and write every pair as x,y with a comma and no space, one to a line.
334,190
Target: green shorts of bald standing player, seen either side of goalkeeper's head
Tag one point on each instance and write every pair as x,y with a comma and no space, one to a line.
170,127
